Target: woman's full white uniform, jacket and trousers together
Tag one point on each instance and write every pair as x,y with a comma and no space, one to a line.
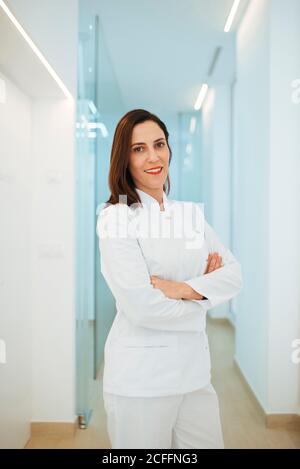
157,346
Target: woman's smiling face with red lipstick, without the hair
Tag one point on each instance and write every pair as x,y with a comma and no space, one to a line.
148,150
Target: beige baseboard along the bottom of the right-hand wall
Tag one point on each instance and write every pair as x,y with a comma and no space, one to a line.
286,421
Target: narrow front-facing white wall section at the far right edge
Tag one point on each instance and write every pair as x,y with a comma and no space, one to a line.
284,197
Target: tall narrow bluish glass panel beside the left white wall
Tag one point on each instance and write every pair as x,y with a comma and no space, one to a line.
86,151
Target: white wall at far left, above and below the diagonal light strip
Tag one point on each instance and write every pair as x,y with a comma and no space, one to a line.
38,273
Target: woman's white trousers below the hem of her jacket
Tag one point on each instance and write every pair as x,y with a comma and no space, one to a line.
190,420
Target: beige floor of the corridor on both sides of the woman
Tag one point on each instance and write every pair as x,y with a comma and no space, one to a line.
243,424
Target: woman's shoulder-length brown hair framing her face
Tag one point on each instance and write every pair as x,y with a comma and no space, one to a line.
119,179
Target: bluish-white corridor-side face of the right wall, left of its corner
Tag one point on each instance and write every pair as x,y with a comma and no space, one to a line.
251,161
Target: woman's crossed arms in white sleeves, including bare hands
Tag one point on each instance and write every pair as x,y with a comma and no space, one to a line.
174,306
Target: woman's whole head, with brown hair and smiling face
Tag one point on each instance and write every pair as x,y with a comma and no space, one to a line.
140,147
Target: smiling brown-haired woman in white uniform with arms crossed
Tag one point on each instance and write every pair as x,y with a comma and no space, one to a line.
156,385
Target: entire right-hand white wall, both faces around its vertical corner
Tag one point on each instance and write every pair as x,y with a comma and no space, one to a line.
267,225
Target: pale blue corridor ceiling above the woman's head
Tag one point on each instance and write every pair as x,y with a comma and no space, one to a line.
161,51
